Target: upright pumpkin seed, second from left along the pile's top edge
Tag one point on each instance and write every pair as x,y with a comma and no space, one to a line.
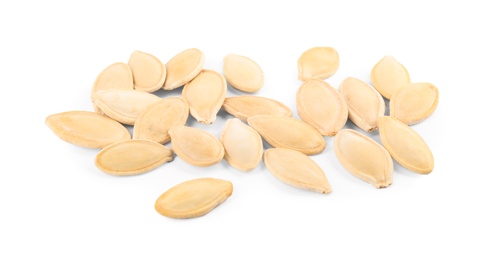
148,72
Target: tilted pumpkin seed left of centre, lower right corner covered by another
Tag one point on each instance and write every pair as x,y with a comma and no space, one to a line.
154,122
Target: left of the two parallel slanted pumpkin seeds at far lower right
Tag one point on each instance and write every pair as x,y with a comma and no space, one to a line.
364,158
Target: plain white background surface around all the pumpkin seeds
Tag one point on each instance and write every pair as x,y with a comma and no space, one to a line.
55,203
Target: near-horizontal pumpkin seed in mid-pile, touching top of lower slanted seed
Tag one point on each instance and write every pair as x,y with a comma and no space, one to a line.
288,132
